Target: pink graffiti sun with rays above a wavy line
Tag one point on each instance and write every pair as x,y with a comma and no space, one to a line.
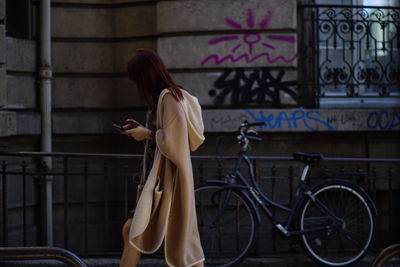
250,39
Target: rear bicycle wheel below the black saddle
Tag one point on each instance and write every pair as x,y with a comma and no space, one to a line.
346,218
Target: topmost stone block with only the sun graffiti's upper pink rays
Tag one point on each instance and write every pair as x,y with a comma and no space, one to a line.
217,15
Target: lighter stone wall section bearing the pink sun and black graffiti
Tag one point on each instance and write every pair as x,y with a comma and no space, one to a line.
225,47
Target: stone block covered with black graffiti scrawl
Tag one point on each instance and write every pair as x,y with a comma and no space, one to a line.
233,86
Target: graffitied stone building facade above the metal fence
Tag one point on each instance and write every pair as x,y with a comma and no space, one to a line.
243,59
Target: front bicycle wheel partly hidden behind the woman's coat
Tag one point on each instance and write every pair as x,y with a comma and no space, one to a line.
226,224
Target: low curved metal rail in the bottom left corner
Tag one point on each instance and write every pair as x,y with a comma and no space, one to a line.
41,253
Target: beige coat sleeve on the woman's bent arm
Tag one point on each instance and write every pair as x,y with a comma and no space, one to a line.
172,137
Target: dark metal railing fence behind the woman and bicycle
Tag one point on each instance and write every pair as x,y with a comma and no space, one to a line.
94,193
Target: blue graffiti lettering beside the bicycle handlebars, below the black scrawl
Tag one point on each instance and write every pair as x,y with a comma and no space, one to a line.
292,120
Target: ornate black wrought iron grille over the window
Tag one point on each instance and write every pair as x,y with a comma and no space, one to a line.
354,50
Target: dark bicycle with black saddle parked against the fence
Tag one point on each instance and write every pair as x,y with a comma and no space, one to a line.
335,218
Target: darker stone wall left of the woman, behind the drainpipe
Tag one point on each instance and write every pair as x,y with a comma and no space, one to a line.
91,43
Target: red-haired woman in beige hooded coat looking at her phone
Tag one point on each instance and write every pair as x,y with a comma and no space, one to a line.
166,207
